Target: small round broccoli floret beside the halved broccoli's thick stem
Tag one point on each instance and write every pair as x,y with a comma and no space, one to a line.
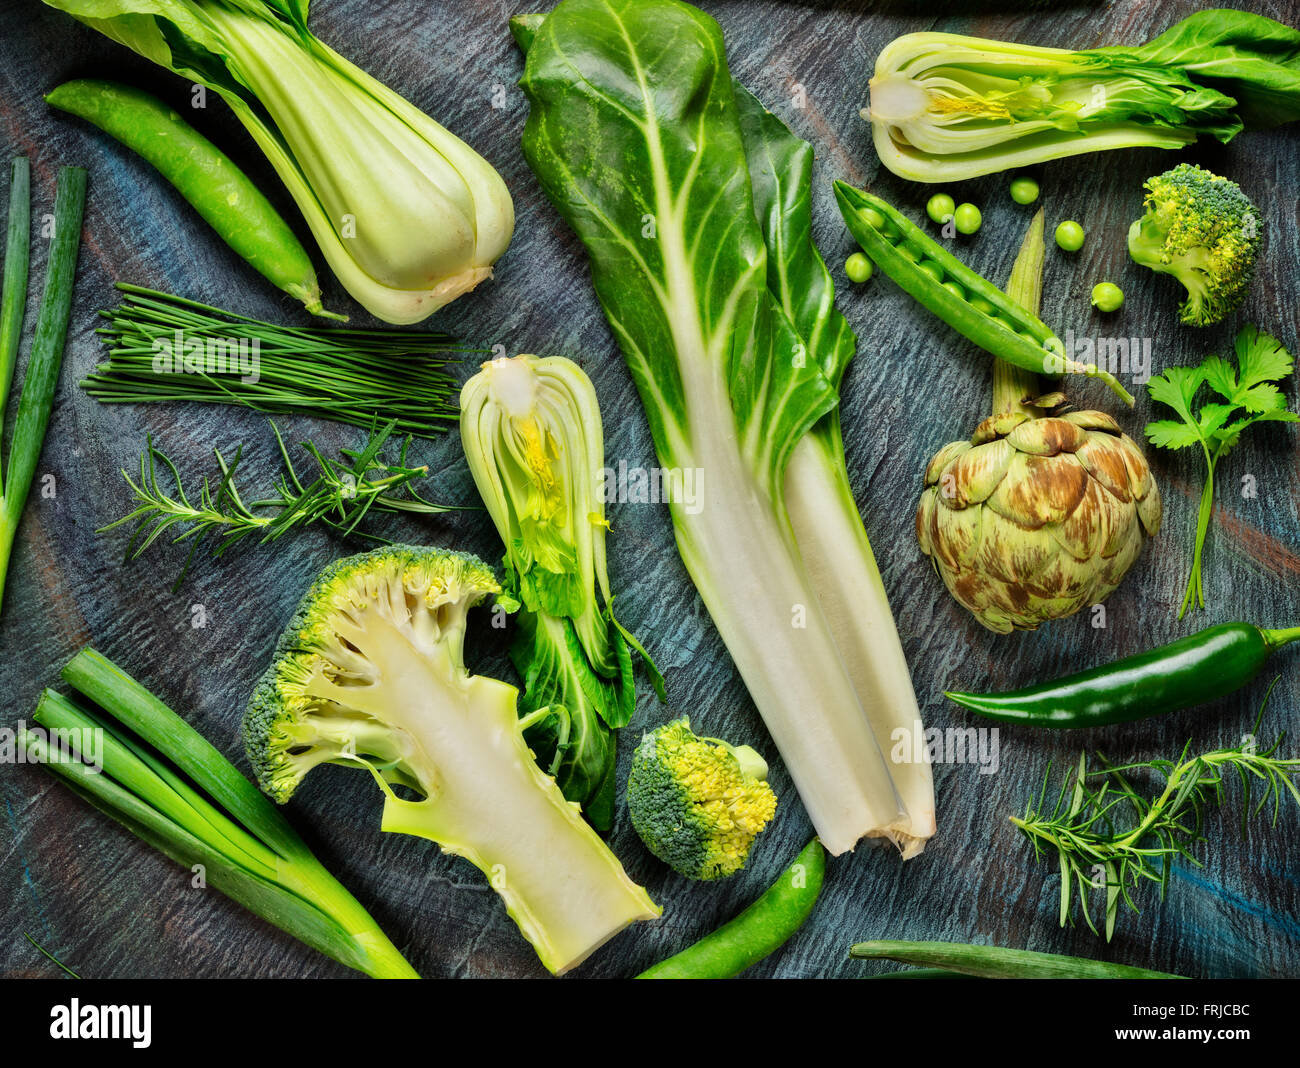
699,804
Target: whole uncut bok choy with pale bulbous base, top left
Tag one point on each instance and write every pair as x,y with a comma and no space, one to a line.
409,216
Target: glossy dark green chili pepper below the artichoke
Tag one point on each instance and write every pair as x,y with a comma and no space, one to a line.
1191,671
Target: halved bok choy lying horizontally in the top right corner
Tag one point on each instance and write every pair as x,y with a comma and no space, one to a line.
947,107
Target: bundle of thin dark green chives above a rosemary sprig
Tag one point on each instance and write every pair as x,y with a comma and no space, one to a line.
344,375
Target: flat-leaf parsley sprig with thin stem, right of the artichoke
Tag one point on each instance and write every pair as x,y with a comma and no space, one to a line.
1250,397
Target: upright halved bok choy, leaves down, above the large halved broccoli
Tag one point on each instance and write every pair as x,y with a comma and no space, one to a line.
536,449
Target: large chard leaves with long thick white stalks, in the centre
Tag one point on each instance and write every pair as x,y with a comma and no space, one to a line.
636,136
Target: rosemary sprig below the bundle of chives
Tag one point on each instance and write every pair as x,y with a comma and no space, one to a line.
341,496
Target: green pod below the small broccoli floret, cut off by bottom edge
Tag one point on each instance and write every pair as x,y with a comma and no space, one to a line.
760,931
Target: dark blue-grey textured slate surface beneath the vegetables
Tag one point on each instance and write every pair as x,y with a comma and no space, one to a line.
114,909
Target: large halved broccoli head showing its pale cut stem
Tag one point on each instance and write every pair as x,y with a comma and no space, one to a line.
371,674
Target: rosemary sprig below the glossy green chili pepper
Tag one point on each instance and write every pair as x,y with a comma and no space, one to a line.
1108,836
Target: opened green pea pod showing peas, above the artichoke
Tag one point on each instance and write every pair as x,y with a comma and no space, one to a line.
1009,331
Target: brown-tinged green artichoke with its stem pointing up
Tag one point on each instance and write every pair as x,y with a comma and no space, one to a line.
1039,514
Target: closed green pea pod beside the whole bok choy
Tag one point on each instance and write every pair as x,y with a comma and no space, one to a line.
203,175
